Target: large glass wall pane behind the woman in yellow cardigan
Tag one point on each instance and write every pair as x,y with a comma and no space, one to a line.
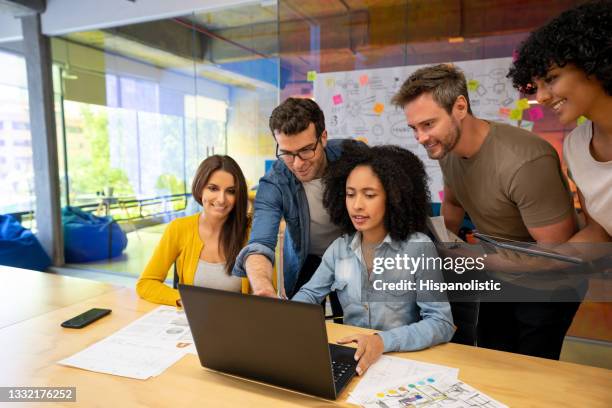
142,105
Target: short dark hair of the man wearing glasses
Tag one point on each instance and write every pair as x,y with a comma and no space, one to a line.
294,115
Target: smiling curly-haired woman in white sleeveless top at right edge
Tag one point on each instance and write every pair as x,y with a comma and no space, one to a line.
568,65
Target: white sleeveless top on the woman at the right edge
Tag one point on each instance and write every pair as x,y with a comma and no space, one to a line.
593,178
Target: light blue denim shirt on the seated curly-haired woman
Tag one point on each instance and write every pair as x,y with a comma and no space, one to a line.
413,321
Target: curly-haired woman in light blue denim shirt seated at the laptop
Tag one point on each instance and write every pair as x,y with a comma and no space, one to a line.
378,196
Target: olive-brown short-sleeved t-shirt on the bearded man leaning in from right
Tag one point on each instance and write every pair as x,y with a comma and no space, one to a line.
513,182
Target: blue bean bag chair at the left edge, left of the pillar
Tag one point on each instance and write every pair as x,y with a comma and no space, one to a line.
19,247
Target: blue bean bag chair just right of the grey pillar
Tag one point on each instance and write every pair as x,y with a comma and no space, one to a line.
90,238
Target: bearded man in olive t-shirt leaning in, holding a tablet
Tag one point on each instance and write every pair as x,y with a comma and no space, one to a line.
510,183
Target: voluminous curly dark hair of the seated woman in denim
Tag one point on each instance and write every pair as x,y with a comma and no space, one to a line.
403,177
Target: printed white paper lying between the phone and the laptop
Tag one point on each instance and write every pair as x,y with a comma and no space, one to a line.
143,349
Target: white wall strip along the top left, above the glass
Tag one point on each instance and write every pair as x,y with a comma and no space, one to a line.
66,16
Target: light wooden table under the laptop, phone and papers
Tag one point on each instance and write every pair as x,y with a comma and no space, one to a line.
30,349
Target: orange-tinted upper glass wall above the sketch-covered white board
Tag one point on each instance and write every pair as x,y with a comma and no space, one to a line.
356,35
